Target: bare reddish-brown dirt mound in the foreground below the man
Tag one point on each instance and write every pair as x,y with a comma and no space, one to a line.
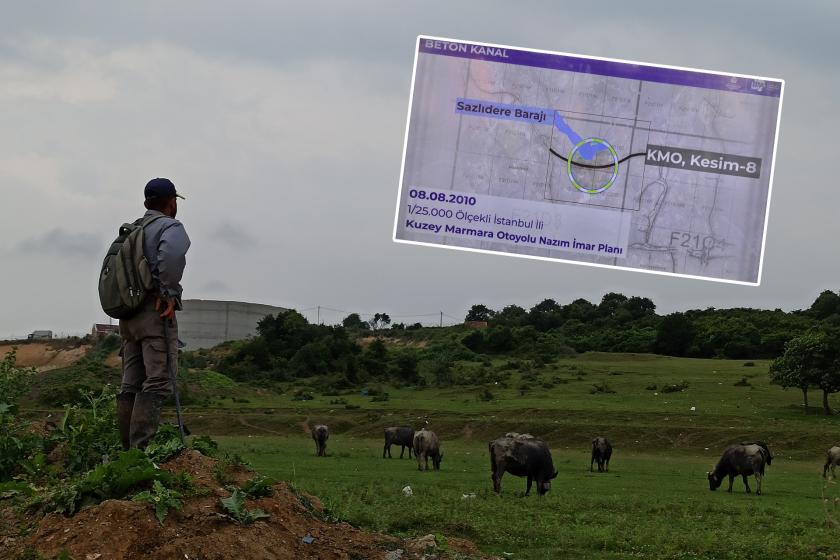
117,529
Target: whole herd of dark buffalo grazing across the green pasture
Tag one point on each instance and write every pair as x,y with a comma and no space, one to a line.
524,455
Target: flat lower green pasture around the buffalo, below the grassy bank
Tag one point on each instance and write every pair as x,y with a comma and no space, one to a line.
647,506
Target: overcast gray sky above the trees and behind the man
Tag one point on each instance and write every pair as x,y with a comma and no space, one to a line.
283,124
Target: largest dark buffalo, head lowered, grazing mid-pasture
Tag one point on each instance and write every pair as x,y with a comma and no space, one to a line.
522,456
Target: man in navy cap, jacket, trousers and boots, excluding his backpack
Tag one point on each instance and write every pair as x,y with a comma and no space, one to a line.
150,337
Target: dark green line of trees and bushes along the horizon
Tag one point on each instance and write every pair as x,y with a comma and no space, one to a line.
803,343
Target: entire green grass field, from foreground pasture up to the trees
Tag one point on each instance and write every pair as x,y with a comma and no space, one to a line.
655,502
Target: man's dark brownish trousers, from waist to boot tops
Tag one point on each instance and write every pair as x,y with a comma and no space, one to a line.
144,352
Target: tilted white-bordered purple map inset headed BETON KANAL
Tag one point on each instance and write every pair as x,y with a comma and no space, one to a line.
658,169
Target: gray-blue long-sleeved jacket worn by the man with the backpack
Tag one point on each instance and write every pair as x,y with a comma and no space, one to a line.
165,248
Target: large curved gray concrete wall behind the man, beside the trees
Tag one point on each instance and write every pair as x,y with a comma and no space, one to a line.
205,323
